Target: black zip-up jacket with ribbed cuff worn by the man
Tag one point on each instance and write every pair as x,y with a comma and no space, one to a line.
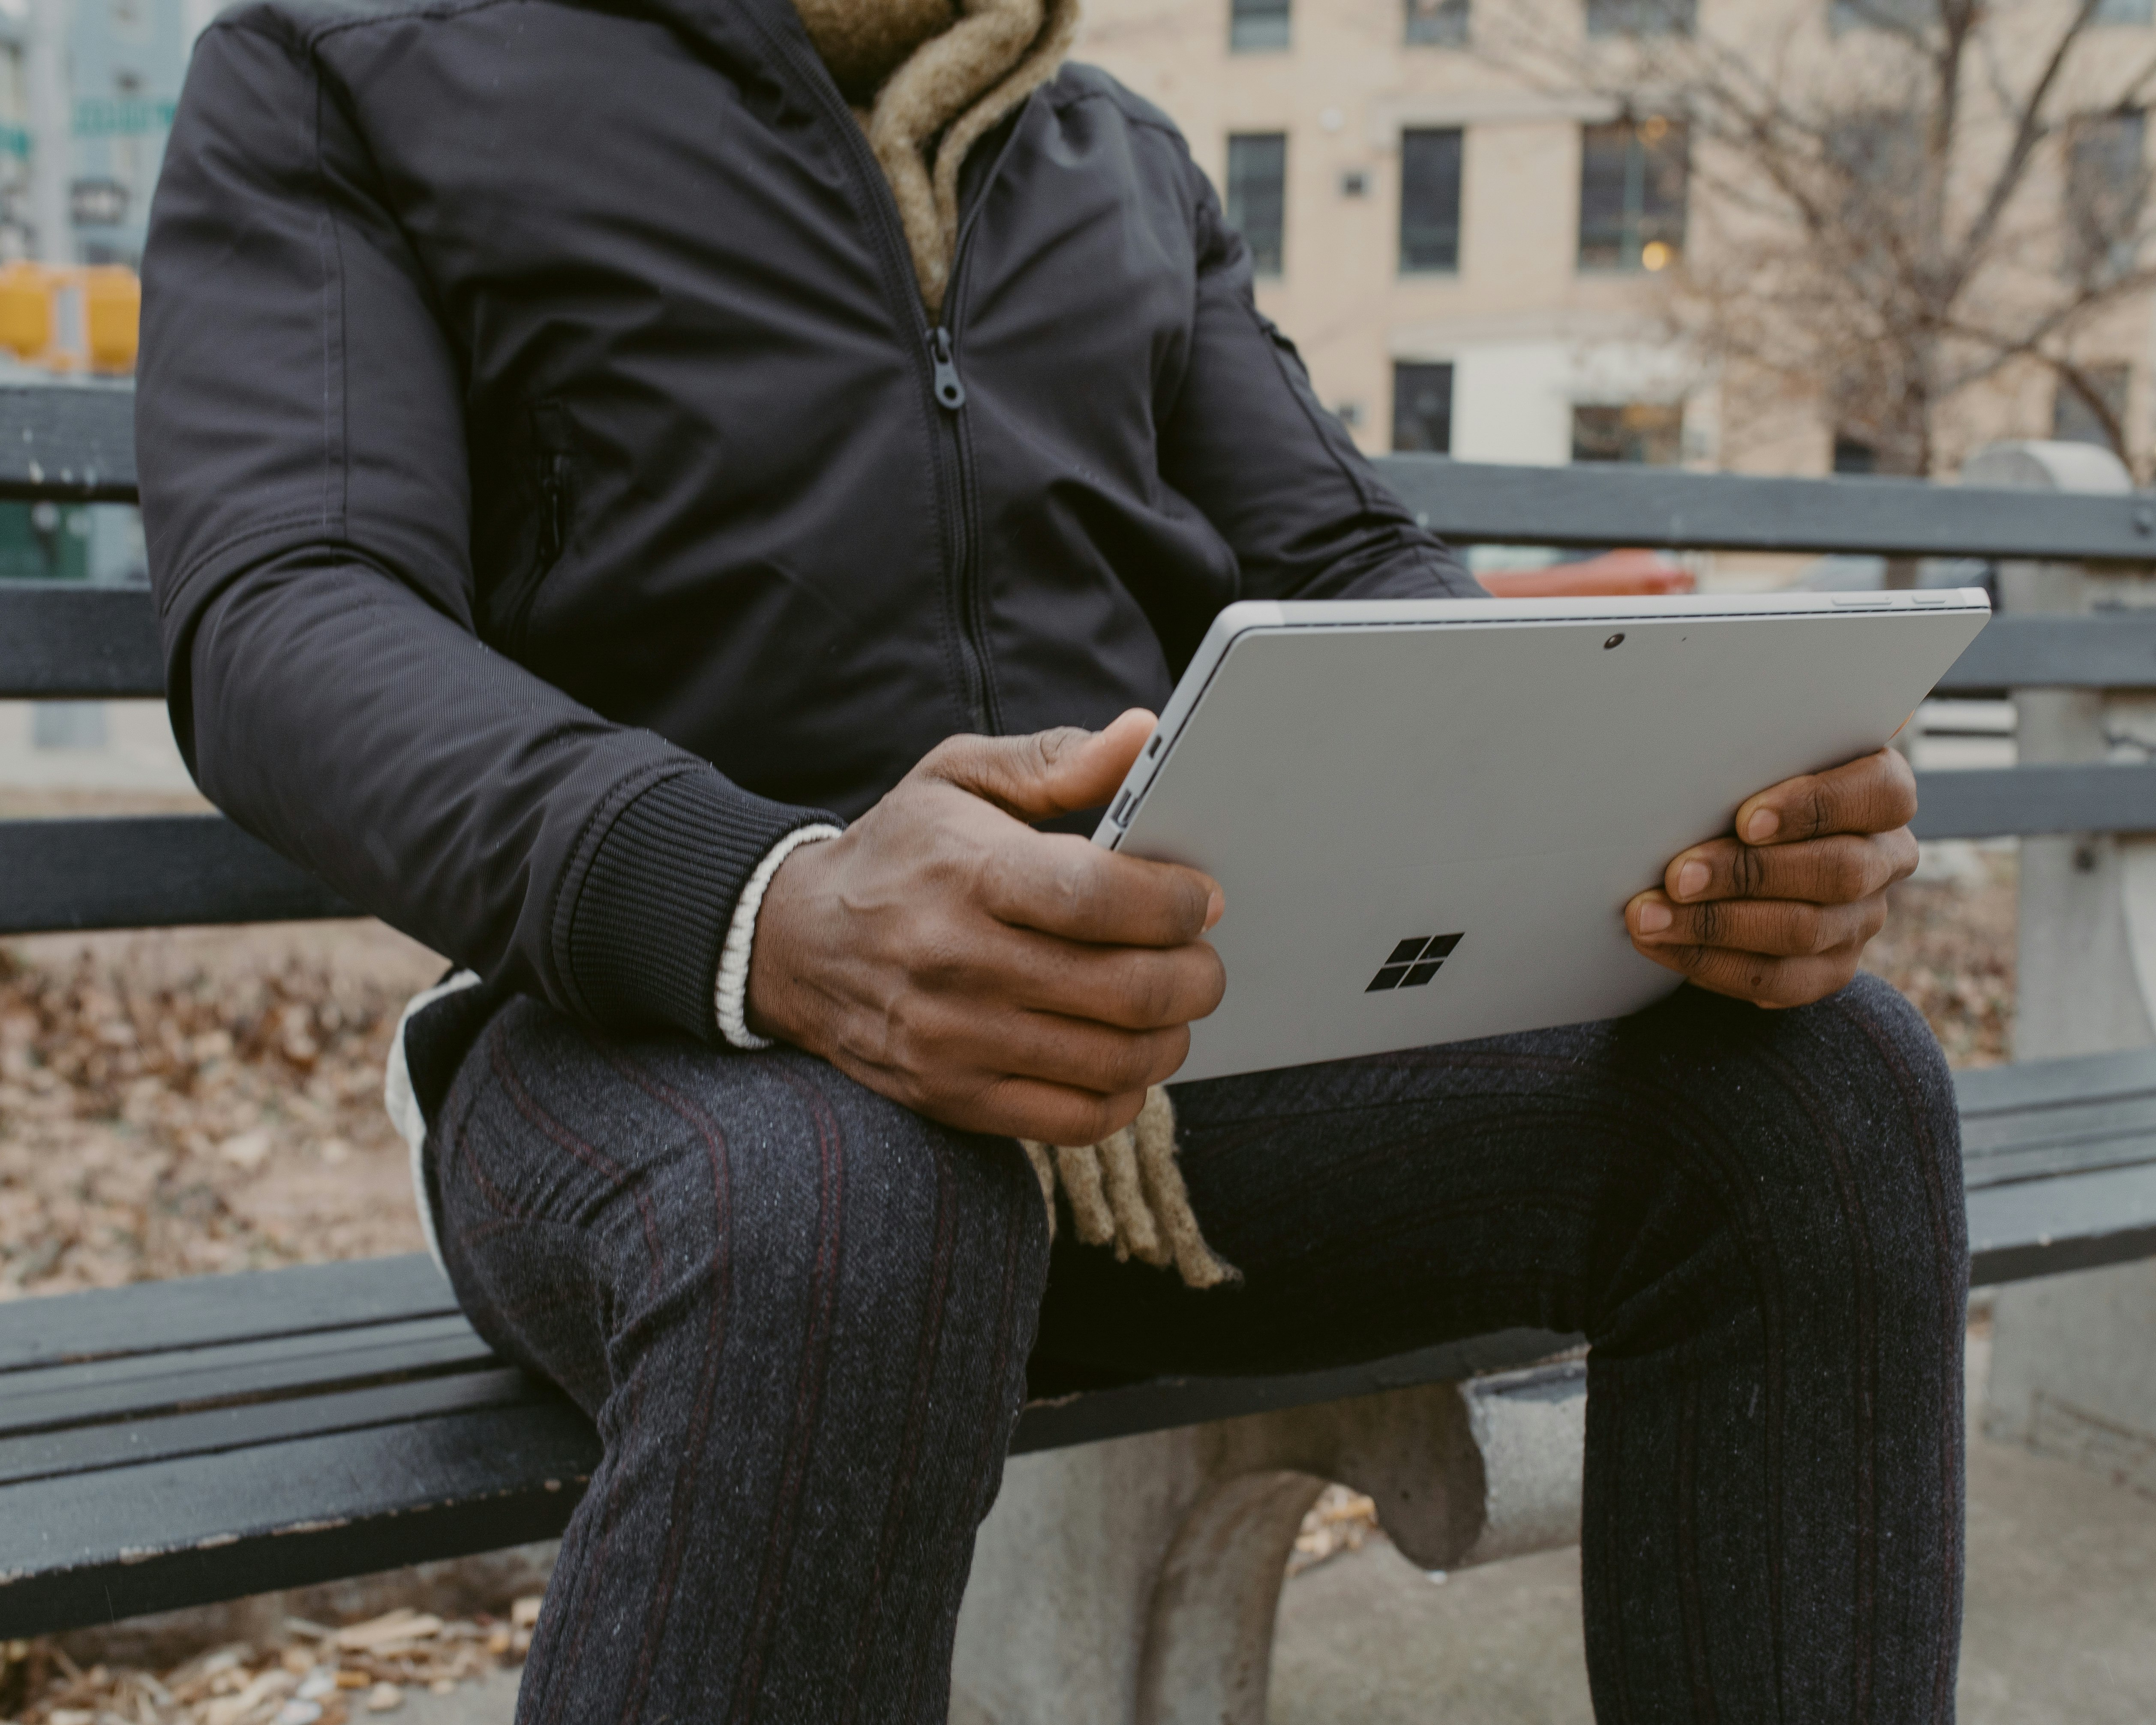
555,493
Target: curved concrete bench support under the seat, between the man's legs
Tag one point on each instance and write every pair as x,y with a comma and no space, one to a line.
1135,1582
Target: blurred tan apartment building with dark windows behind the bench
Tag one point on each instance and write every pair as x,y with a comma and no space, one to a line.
1478,264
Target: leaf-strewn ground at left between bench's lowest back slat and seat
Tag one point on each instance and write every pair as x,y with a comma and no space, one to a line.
199,1101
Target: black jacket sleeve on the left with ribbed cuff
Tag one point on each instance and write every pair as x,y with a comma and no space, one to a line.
305,495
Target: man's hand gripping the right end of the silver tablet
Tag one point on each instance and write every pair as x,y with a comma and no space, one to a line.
1780,911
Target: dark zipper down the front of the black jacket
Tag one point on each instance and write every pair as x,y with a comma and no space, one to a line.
939,374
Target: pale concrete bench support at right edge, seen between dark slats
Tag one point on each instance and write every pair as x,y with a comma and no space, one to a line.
2075,1357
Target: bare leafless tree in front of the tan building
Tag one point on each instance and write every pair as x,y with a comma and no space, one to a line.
1868,223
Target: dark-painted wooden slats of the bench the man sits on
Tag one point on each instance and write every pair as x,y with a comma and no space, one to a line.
180,1444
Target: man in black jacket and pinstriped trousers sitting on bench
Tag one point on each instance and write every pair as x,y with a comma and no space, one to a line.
674,506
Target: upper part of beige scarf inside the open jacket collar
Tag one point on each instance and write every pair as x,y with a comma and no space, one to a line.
930,79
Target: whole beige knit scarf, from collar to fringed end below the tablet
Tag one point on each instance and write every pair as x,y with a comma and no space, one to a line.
930,79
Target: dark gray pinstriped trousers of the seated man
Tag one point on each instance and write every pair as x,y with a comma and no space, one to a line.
801,1319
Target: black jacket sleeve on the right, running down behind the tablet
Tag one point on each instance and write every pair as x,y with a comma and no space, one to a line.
1249,443
